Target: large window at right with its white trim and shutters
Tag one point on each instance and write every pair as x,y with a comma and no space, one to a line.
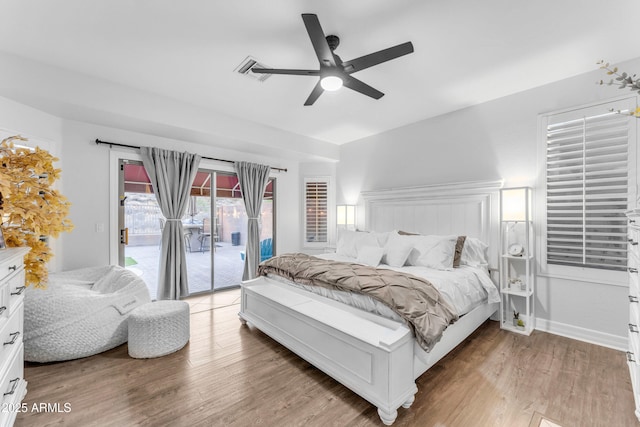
581,199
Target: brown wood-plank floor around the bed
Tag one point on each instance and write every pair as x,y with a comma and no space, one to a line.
231,375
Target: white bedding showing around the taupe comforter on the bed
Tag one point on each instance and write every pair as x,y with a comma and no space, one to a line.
465,288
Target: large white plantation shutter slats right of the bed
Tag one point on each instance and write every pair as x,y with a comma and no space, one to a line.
587,186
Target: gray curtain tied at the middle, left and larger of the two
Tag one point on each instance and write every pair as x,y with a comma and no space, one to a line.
171,174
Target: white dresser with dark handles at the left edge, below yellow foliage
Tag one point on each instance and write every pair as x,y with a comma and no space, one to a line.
12,285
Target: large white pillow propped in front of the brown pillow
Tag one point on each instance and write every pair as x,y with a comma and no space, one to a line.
433,252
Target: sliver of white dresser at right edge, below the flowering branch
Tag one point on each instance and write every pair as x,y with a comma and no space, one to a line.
633,353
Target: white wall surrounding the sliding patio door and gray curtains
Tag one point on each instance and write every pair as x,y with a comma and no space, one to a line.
87,175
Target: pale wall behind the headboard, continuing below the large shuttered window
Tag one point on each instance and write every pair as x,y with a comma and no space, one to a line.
494,140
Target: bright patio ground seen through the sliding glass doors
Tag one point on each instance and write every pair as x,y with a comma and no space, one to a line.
227,266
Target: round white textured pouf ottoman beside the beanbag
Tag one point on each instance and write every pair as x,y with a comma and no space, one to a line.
158,328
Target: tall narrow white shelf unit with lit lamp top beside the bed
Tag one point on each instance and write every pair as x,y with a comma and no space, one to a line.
517,276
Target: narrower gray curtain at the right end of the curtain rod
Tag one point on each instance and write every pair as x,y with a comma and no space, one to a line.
253,179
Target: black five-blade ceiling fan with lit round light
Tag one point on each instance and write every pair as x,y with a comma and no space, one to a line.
333,72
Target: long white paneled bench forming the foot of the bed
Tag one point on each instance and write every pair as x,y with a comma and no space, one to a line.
371,355
